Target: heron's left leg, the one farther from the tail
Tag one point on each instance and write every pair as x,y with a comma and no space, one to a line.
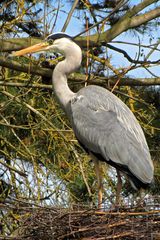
98,170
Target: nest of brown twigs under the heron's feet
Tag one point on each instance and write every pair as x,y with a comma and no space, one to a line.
50,223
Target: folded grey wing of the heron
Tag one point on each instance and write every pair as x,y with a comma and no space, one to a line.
105,125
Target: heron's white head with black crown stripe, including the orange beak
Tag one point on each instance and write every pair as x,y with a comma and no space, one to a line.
57,42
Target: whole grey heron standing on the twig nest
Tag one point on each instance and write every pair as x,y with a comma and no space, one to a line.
103,124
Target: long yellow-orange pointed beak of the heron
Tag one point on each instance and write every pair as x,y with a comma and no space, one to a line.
35,48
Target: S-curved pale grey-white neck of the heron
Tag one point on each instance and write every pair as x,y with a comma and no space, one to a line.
62,70
